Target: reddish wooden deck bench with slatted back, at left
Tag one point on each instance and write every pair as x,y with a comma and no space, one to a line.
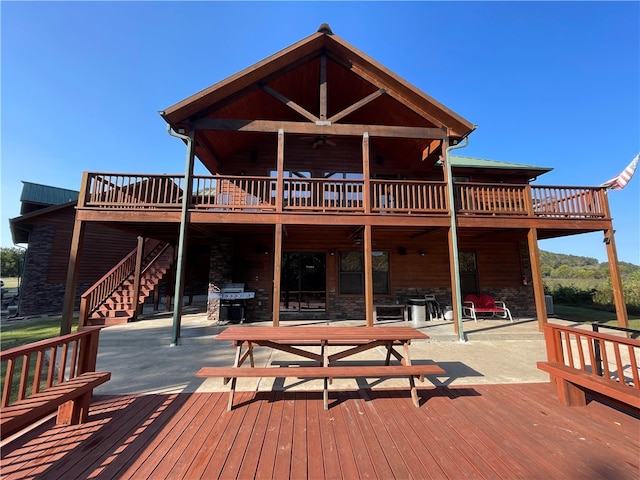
62,378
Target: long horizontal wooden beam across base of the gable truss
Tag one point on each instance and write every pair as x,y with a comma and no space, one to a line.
320,128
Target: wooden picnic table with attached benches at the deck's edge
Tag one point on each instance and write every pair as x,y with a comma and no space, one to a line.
291,339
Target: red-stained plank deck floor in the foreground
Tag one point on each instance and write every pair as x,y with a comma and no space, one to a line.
486,431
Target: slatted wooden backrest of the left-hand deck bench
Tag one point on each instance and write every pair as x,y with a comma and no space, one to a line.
57,360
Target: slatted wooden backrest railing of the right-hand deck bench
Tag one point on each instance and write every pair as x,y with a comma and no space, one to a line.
576,348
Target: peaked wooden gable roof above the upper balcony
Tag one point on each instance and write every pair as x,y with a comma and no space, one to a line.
298,58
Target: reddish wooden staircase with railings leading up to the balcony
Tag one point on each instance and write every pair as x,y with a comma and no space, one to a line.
111,300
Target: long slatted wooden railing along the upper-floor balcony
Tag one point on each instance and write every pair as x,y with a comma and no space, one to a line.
309,195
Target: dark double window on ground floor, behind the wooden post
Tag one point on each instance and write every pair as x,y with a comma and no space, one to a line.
351,272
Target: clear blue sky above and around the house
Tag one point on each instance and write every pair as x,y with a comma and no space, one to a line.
548,83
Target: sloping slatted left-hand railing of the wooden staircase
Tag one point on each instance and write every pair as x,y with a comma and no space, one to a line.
96,295
